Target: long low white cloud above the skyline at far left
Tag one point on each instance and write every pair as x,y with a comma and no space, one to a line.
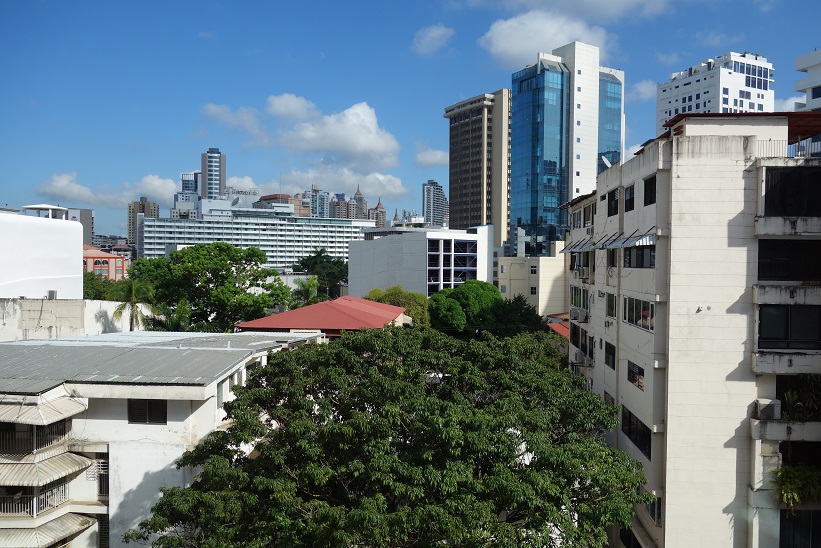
64,187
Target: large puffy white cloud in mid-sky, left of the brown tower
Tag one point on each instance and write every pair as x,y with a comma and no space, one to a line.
351,138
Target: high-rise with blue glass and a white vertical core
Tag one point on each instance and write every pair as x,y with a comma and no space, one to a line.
567,125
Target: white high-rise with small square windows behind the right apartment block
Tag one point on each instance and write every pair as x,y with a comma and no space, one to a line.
732,82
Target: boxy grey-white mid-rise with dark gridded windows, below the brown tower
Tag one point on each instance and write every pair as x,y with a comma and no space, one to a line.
424,260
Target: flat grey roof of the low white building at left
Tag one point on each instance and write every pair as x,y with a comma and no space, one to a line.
141,357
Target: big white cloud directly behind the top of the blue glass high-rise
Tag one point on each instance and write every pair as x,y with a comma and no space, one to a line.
517,40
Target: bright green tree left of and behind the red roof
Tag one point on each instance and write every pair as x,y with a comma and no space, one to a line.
222,284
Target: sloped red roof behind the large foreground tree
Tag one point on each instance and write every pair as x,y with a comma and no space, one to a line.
344,313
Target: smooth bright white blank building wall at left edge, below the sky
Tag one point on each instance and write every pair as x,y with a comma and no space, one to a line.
39,255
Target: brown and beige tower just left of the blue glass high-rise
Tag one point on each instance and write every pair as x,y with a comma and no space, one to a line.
479,178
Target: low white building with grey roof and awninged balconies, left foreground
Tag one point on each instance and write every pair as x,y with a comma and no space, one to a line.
91,428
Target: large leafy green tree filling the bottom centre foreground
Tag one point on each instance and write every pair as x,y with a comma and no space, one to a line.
405,437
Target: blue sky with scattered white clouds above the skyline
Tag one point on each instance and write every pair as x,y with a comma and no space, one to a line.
103,102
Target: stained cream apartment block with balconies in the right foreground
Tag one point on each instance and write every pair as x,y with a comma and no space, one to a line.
696,307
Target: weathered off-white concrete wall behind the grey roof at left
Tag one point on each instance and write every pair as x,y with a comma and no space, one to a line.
42,319
